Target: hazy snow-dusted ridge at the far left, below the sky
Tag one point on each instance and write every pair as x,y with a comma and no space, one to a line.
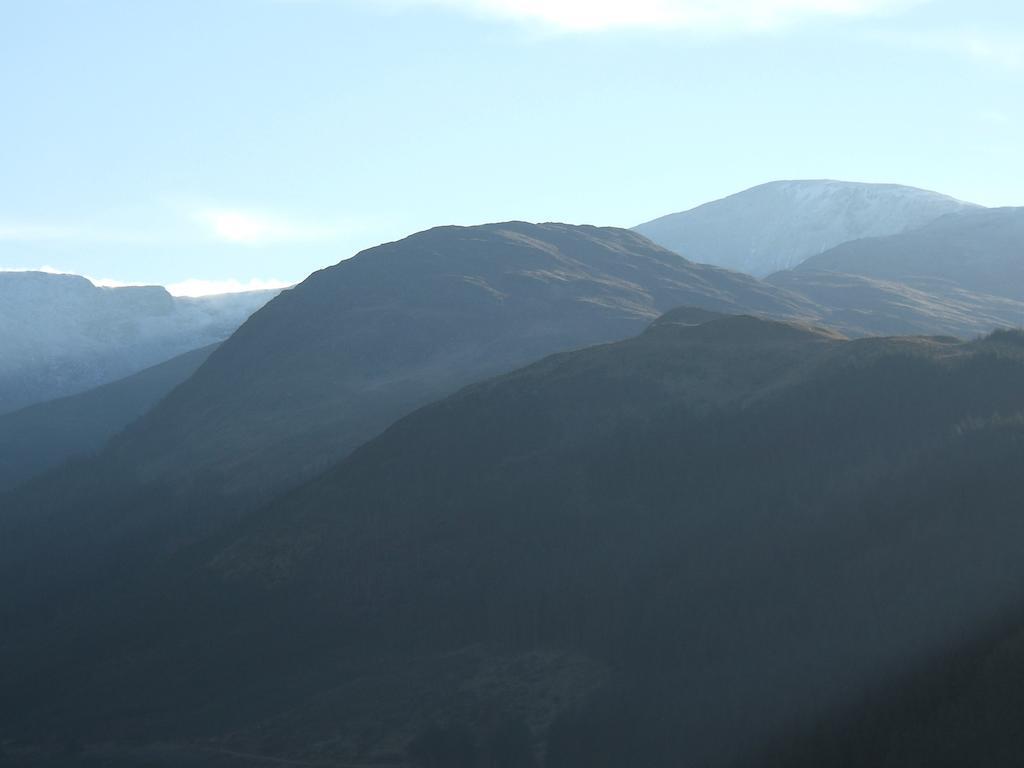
61,335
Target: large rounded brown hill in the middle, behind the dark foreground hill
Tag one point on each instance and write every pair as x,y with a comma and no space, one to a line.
327,366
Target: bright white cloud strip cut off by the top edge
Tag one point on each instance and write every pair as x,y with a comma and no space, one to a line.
583,16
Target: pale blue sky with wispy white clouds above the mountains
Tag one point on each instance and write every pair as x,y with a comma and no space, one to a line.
222,145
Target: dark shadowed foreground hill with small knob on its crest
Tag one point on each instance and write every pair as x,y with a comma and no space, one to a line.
664,551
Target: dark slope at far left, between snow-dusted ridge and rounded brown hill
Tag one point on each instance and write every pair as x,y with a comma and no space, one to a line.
45,436
